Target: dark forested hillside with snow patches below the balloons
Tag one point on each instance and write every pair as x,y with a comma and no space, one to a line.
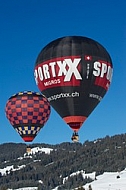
65,165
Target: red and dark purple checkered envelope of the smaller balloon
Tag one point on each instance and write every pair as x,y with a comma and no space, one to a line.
27,112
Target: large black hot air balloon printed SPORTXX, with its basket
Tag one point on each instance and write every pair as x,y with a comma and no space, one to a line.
74,73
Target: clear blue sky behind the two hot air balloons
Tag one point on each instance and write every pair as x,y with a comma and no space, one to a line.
26,26
